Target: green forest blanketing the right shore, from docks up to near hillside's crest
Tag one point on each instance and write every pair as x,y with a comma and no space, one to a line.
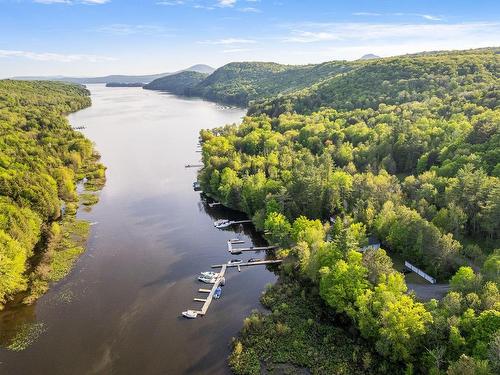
406,149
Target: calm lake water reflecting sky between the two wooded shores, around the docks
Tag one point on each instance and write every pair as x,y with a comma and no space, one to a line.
118,312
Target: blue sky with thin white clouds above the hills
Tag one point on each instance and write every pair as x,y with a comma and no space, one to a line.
97,37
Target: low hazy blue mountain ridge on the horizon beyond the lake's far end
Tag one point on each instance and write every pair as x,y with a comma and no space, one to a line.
117,78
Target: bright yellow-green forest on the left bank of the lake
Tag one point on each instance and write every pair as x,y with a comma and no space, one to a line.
41,159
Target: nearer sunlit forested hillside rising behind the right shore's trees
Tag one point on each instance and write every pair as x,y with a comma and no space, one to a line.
468,75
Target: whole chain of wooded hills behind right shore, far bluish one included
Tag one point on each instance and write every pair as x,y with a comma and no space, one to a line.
275,88
